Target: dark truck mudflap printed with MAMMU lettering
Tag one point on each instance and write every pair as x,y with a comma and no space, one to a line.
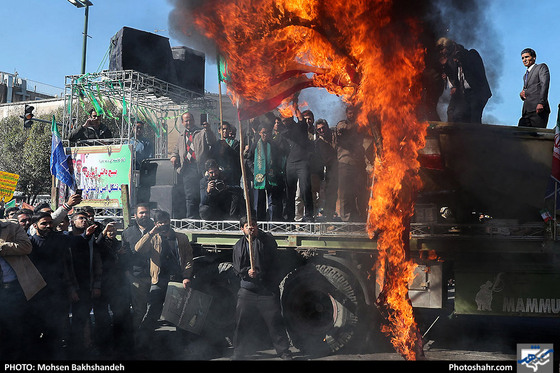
509,293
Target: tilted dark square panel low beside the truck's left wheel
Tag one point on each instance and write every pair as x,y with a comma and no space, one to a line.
186,308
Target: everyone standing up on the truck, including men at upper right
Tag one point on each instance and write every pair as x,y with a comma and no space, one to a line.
304,170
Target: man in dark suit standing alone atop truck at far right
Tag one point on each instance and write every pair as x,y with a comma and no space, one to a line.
534,95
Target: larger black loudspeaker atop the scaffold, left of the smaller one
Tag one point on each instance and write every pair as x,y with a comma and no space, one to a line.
144,52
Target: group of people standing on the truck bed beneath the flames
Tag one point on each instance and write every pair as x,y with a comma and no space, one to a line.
291,167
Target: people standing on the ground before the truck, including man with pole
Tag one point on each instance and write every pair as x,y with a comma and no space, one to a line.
57,270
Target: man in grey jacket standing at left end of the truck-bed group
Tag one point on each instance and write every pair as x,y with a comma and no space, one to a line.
190,154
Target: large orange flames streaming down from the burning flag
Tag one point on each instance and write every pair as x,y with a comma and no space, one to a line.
367,53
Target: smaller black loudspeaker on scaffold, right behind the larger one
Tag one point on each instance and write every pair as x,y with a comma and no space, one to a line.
189,67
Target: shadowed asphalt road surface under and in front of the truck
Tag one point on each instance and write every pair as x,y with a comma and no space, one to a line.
461,338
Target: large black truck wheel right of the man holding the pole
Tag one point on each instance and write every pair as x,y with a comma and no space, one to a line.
321,308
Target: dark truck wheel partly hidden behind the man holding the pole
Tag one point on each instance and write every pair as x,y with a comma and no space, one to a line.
222,284
